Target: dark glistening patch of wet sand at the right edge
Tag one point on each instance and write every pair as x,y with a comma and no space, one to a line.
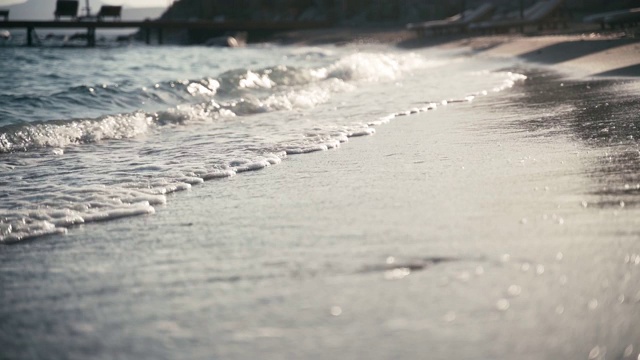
601,114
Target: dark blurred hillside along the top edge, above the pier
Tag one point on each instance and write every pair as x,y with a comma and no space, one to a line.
360,10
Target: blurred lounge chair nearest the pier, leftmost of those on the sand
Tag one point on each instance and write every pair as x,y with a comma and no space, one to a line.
456,23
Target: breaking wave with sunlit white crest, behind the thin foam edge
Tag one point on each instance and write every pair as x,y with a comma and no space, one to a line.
243,92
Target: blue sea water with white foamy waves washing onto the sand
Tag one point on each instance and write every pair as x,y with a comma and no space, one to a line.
89,135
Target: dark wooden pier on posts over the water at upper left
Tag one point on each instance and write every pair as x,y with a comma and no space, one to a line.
159,27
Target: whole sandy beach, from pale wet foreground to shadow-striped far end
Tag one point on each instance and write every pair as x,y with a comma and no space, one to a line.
500,228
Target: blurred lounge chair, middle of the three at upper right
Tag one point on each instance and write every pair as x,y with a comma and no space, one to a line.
543,13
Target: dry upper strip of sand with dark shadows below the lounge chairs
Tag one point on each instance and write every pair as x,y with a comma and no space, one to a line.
581,53
